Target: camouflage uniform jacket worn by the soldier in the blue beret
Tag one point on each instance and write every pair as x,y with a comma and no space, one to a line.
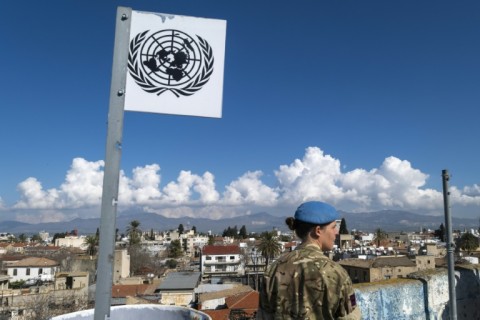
305,284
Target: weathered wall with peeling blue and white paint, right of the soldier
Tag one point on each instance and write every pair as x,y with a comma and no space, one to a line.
423,295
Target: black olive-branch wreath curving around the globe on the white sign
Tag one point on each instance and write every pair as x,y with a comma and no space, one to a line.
150,86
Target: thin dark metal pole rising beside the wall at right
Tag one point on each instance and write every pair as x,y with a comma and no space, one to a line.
450,247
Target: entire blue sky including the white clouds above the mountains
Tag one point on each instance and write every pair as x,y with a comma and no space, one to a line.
357,103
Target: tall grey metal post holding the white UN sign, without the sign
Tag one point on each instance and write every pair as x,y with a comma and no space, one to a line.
103,292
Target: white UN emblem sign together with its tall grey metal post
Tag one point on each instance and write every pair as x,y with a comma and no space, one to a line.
161,64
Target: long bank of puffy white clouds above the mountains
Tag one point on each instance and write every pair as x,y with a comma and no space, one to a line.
395,184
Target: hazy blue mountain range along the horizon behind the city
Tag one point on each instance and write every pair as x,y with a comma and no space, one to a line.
388,220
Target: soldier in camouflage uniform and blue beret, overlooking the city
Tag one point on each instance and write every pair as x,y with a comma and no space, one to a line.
306,284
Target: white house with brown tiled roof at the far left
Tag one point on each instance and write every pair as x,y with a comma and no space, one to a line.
32,268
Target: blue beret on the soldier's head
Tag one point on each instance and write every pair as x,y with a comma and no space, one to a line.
316,212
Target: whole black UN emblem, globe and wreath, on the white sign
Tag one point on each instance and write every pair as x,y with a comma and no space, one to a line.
170,60
